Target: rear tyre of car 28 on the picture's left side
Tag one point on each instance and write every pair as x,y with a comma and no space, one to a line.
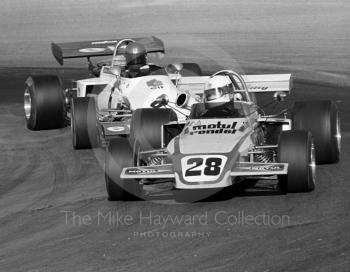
146,126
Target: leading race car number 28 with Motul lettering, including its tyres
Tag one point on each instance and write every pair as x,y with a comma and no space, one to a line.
209,152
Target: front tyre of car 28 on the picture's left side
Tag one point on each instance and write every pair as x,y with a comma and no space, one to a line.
119,155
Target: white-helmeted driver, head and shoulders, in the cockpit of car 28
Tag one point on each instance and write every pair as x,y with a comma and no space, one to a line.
219,96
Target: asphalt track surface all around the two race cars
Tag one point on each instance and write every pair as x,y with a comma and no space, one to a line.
43,181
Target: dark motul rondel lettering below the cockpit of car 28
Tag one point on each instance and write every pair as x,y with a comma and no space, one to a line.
217,128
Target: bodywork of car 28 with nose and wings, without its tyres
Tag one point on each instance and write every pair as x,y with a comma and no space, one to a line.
217,152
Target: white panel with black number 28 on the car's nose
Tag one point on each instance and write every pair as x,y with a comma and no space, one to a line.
203,167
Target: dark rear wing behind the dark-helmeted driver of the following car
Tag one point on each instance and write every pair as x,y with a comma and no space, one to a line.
100,48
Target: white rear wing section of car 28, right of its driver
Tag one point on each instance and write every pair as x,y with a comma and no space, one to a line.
269,83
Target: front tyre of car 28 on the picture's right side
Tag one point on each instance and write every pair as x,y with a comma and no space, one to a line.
296,148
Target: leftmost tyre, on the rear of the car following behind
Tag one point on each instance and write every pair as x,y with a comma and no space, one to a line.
44,102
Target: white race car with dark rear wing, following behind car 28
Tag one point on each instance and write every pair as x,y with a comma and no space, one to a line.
100,107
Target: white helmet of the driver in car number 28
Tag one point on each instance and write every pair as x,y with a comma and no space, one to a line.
217,91
